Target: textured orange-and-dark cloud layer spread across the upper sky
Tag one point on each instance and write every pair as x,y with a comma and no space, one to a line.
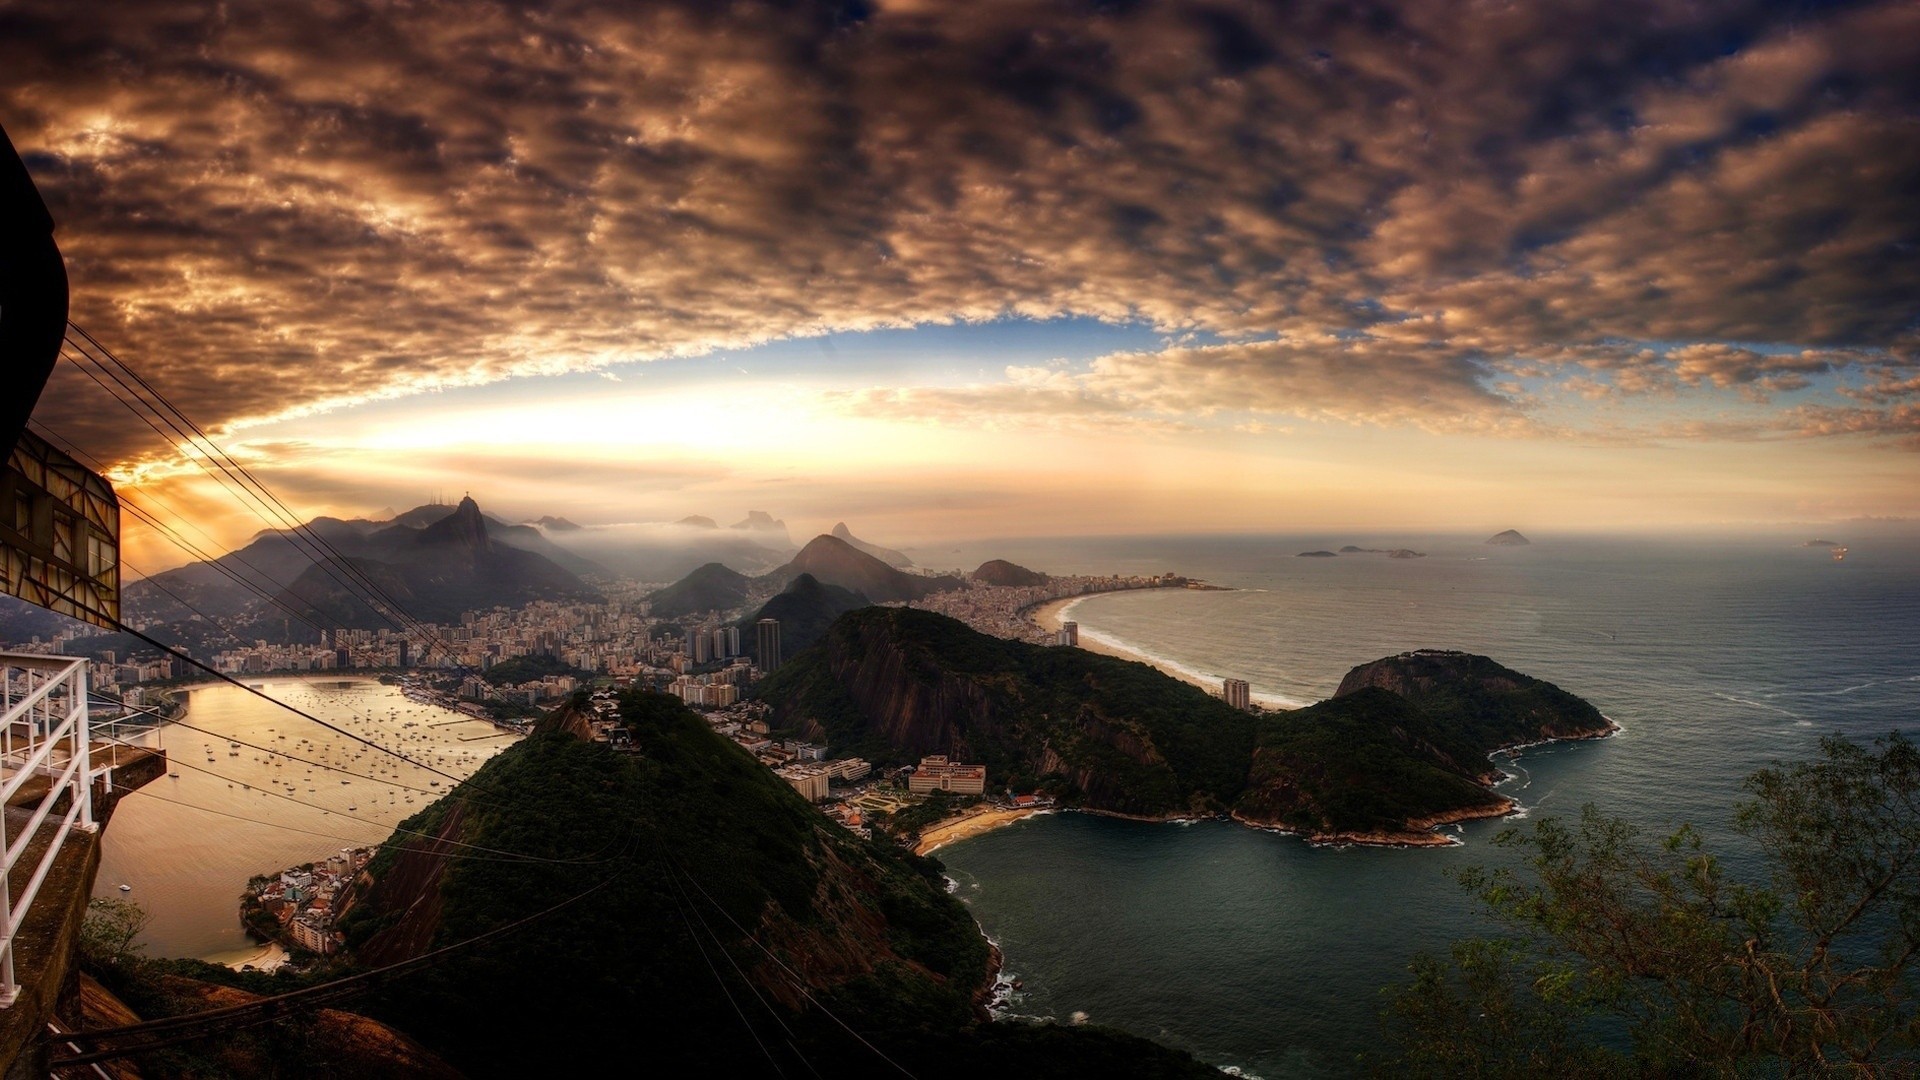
1389,212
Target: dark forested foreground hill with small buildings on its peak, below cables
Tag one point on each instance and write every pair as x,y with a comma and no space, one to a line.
717,893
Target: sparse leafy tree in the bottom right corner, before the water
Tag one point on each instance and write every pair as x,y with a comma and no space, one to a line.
1646,958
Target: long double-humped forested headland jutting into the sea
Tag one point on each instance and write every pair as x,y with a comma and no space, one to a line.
1401,750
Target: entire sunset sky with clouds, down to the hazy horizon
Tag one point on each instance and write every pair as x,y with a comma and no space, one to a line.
996,270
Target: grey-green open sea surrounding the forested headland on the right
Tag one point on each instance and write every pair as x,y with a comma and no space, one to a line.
1264,954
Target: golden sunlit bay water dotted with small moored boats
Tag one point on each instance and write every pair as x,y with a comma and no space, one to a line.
189,843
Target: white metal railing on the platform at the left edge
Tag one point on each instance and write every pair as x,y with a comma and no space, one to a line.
43,737
